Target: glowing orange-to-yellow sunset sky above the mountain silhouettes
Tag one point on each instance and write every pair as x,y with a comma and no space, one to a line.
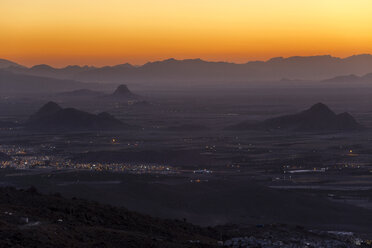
107,32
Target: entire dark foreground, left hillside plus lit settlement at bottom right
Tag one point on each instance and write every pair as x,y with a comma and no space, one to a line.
30,219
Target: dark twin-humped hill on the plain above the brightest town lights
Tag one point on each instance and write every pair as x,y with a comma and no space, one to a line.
52,117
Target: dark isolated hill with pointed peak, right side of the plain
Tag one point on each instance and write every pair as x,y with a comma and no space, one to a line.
317,118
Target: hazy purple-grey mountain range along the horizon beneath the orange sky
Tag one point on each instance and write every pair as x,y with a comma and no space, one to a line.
306,68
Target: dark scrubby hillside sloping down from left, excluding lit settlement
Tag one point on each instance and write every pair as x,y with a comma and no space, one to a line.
29,219
